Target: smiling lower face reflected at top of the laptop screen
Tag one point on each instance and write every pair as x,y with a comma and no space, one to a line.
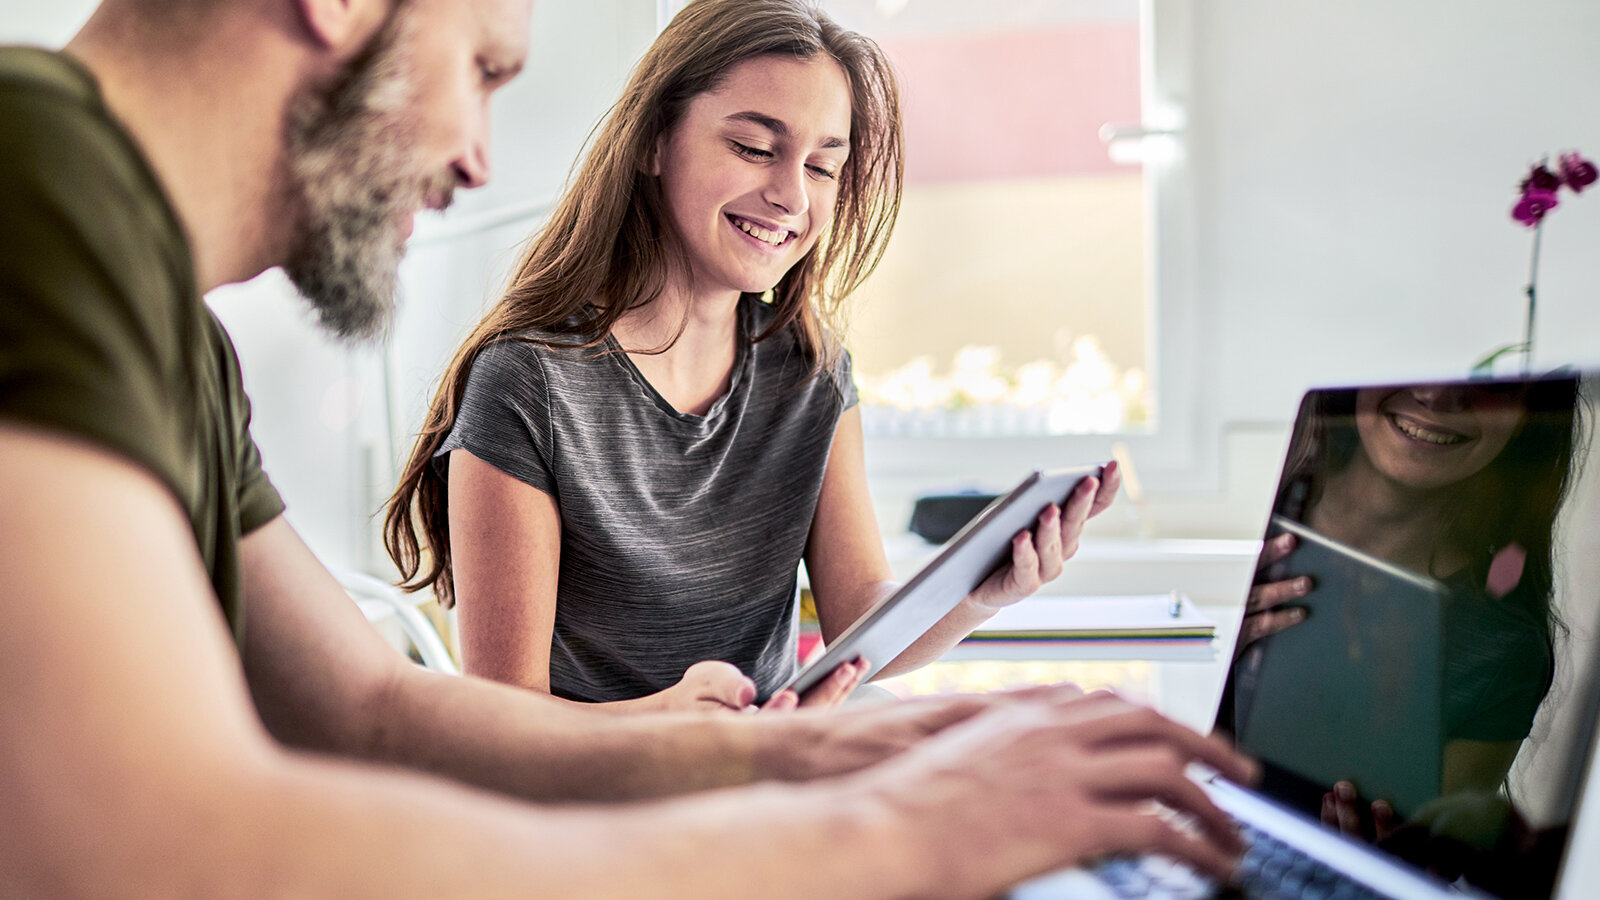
1434,436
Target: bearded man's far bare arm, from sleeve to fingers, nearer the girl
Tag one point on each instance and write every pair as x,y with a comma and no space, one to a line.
326,680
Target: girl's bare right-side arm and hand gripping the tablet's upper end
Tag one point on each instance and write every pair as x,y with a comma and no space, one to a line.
850,571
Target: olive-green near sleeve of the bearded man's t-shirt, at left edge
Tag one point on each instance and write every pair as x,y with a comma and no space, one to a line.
87,278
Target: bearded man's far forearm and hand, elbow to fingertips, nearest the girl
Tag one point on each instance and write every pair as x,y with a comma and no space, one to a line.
522,744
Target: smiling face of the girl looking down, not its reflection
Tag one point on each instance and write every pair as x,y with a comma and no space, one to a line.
751,172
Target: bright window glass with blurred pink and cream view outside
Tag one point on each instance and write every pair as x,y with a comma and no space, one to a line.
1022,247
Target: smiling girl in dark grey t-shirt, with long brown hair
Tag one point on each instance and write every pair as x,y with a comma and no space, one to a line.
636,449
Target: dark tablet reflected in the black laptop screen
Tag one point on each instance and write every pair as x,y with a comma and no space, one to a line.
1354,693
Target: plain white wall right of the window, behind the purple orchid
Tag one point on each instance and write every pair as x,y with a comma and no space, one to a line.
1356,171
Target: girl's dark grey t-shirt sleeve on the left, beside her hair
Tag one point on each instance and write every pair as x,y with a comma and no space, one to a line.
505,416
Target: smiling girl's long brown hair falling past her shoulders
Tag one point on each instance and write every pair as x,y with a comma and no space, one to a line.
609,244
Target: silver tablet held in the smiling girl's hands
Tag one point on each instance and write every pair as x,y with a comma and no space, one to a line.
975,553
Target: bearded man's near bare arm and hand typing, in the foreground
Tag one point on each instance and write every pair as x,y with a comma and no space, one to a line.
135,766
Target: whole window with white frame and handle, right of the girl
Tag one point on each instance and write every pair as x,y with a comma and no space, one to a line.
1025,249
